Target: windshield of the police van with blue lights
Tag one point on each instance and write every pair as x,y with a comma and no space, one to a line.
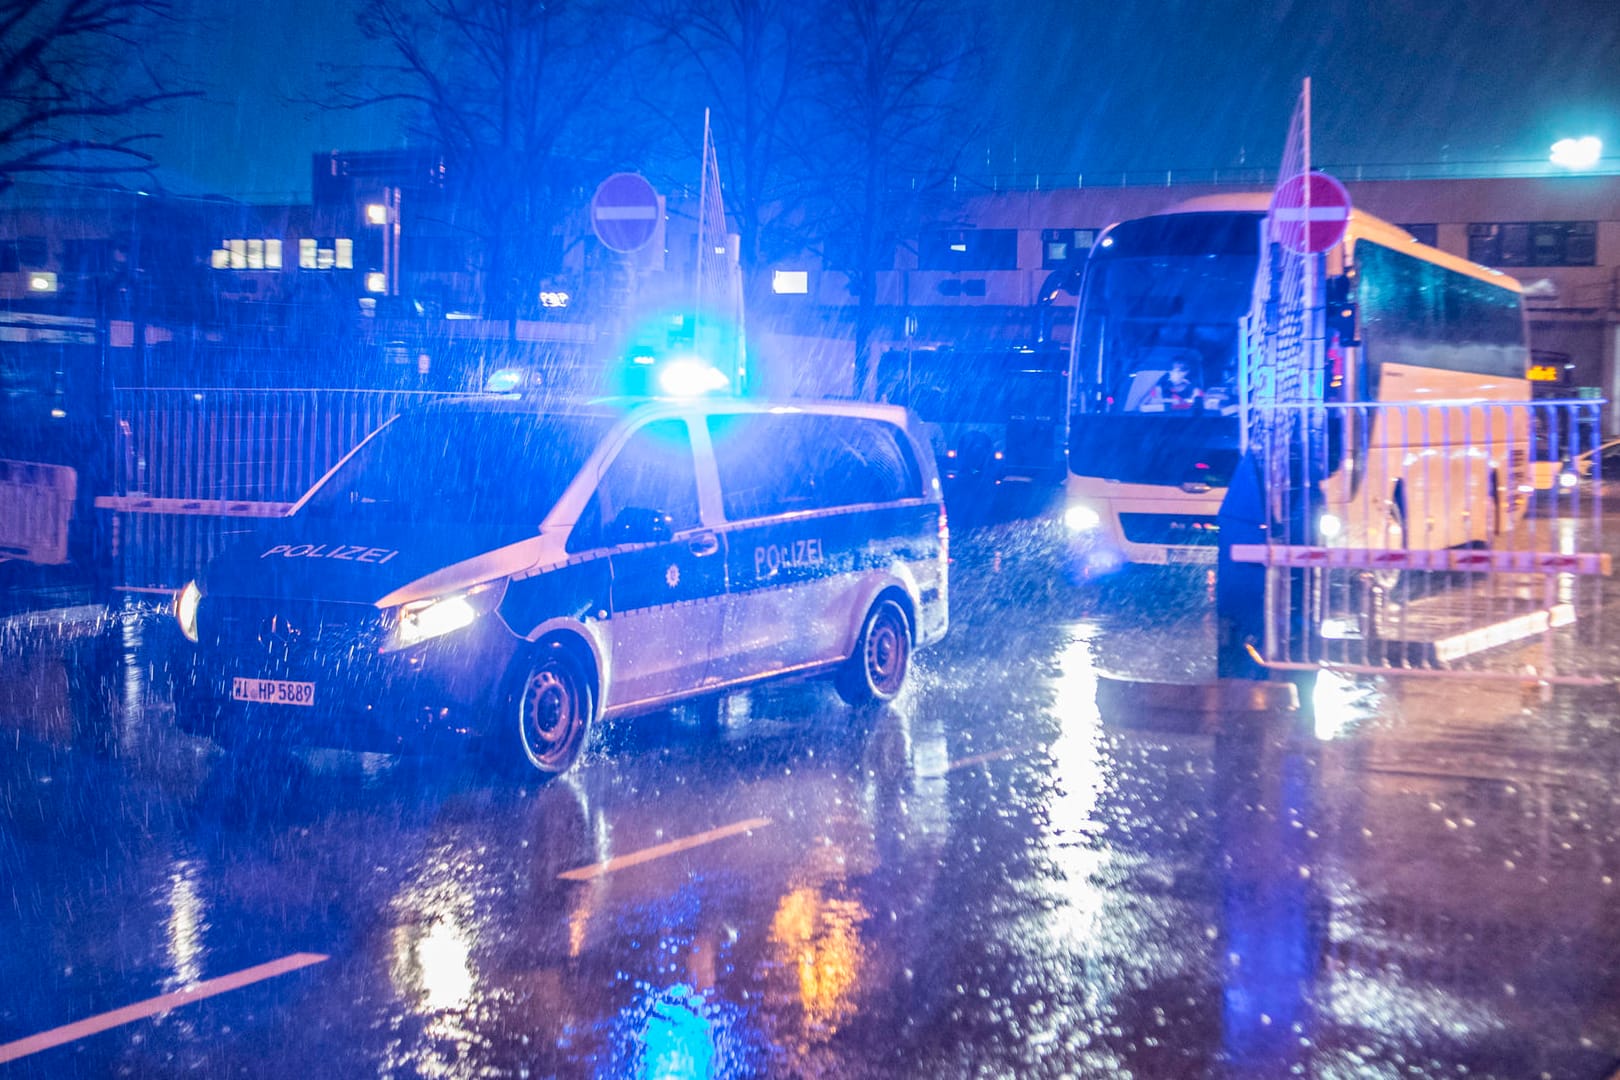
461,469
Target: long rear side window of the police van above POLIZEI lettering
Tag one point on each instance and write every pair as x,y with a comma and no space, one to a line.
790,462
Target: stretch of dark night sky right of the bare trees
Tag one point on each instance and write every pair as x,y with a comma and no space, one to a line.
1211,83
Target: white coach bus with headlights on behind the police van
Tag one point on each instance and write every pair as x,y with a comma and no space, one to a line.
1420,351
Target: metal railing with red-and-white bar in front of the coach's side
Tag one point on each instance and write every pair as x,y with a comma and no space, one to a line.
1451,538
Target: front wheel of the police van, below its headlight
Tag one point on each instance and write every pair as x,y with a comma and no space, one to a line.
548,716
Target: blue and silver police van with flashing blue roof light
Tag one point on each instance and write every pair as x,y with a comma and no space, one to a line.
521,572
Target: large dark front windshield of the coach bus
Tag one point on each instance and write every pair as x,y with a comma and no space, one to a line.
1161,315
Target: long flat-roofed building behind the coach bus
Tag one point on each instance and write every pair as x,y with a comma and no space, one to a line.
994,271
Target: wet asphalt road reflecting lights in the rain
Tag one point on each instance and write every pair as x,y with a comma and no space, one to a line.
991,878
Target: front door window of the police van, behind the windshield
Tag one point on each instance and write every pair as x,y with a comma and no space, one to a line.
652,472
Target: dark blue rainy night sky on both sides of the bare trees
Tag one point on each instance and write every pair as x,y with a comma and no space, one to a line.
1080,87
